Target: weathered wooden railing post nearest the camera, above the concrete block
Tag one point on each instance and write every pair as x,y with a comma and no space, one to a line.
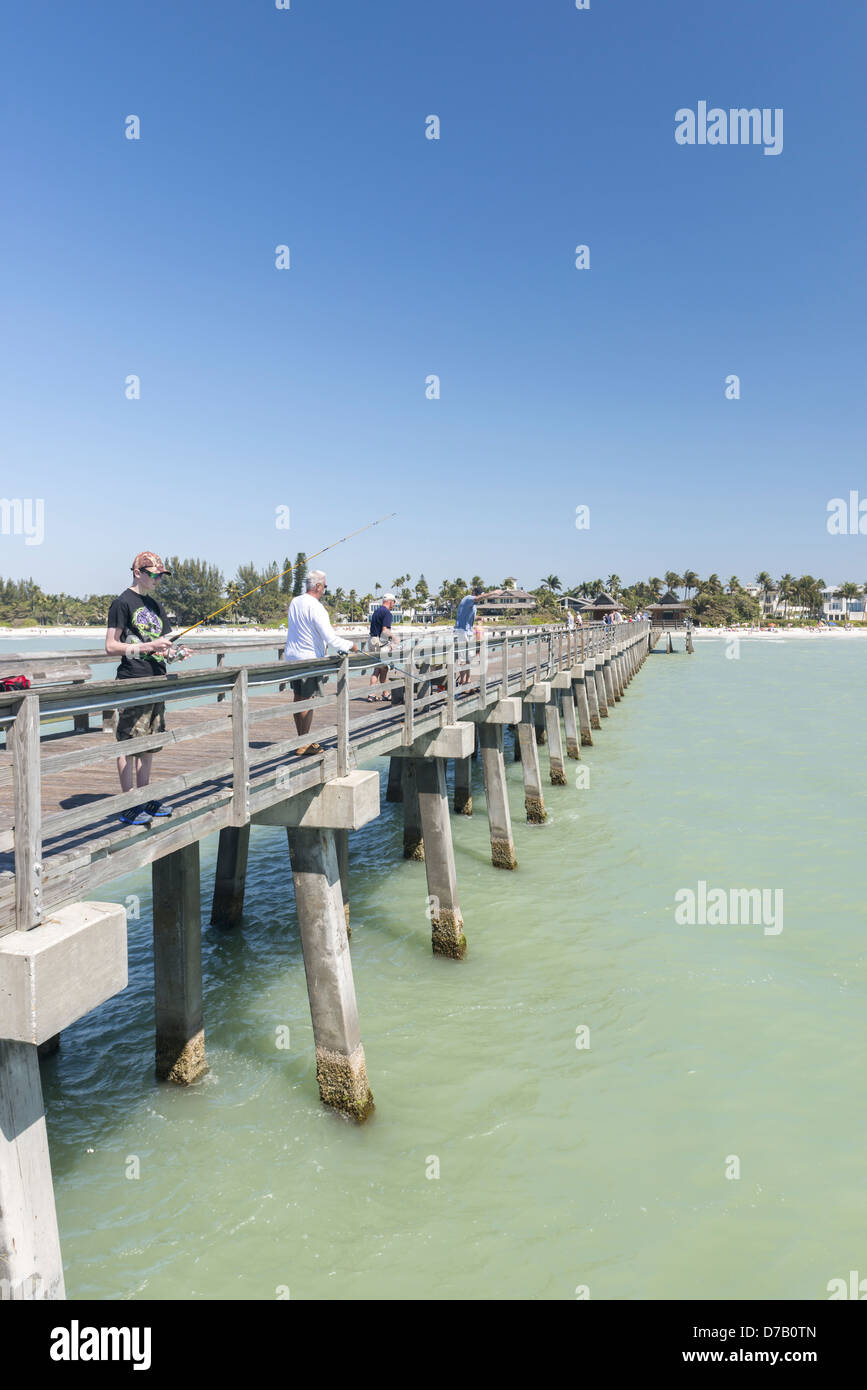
28,814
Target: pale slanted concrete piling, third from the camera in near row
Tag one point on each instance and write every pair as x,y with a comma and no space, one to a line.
447,922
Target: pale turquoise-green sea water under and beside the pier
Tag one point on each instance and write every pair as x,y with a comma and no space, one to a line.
558,1167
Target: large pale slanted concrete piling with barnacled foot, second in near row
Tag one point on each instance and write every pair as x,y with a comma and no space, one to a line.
341,1067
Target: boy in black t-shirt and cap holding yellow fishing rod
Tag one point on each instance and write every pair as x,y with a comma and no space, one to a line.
137,628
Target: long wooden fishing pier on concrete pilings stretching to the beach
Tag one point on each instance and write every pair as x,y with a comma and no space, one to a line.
230,760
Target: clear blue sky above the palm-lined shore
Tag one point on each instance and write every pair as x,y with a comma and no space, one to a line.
306,387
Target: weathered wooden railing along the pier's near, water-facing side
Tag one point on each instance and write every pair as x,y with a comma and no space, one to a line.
60,857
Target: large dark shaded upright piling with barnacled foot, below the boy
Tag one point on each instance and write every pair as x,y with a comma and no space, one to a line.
177,924
